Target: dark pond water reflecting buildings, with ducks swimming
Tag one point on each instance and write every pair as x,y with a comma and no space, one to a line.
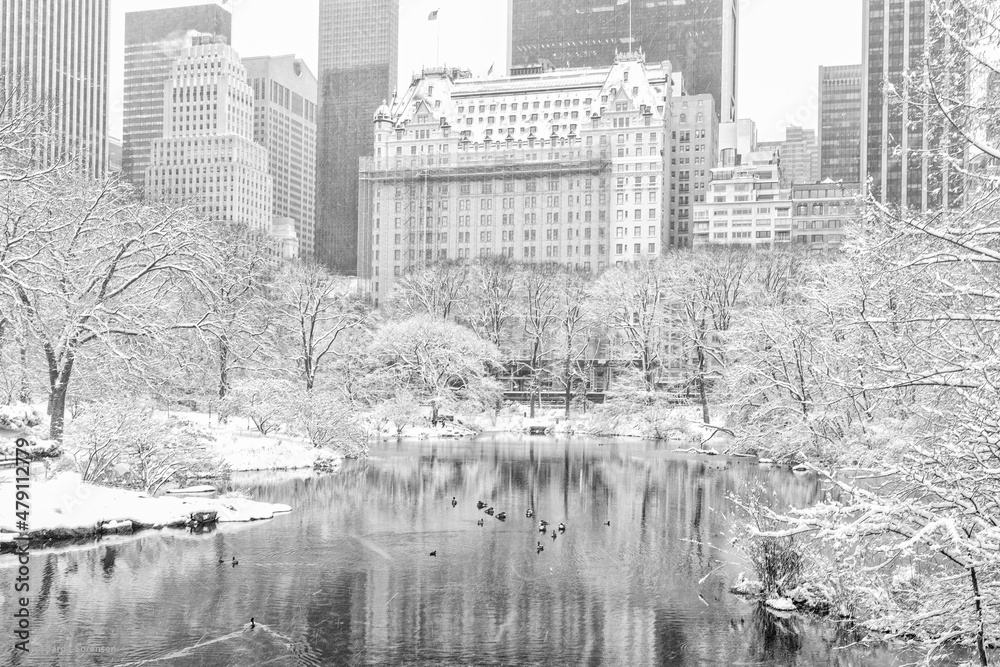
346,578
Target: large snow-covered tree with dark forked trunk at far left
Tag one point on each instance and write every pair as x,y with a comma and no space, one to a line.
95,269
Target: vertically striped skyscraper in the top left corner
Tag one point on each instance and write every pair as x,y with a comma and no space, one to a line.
56,51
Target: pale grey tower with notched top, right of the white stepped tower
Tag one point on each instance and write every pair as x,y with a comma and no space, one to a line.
285,123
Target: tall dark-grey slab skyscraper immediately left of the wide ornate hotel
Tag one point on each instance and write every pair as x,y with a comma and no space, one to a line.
358,46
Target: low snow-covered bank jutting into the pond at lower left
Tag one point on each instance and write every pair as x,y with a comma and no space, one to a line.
66,507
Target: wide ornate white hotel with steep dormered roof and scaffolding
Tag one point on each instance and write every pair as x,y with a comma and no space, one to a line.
566,166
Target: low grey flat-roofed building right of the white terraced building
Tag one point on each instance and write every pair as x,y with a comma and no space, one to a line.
821,212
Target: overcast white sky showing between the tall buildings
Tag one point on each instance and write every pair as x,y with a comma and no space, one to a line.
782,44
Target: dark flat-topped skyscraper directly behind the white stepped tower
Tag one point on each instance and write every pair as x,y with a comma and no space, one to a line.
153,40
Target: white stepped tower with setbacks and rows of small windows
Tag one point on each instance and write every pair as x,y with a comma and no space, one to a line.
207,156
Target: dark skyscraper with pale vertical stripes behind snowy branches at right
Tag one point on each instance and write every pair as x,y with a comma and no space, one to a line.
901,138
